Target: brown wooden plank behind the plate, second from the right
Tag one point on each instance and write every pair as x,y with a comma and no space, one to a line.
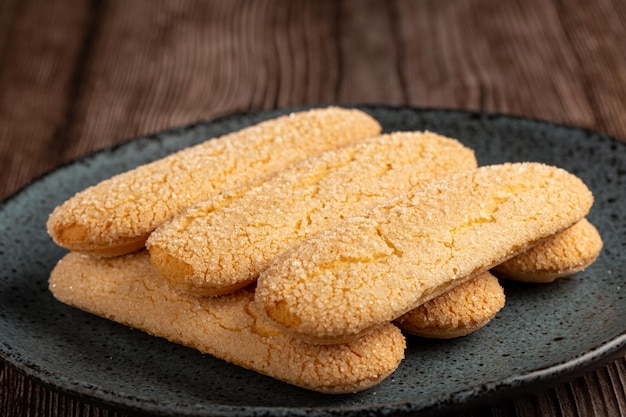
492,56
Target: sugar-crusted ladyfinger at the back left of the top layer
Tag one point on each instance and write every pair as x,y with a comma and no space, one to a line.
117,215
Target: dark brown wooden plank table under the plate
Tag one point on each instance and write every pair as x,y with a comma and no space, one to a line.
76,76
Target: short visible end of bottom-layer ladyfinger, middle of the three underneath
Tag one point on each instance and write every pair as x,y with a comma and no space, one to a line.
459,312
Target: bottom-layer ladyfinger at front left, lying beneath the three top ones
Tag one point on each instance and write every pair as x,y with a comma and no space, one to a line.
127,290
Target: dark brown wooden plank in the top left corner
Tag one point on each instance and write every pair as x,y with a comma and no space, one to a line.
40,52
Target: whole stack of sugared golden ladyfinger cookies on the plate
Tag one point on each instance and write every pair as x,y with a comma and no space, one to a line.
304,246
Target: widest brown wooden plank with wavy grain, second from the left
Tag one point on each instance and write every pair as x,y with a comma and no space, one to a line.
181,63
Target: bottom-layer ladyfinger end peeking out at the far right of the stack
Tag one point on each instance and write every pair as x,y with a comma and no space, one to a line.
561,255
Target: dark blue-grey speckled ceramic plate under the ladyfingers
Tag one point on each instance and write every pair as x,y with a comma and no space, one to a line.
545,333
